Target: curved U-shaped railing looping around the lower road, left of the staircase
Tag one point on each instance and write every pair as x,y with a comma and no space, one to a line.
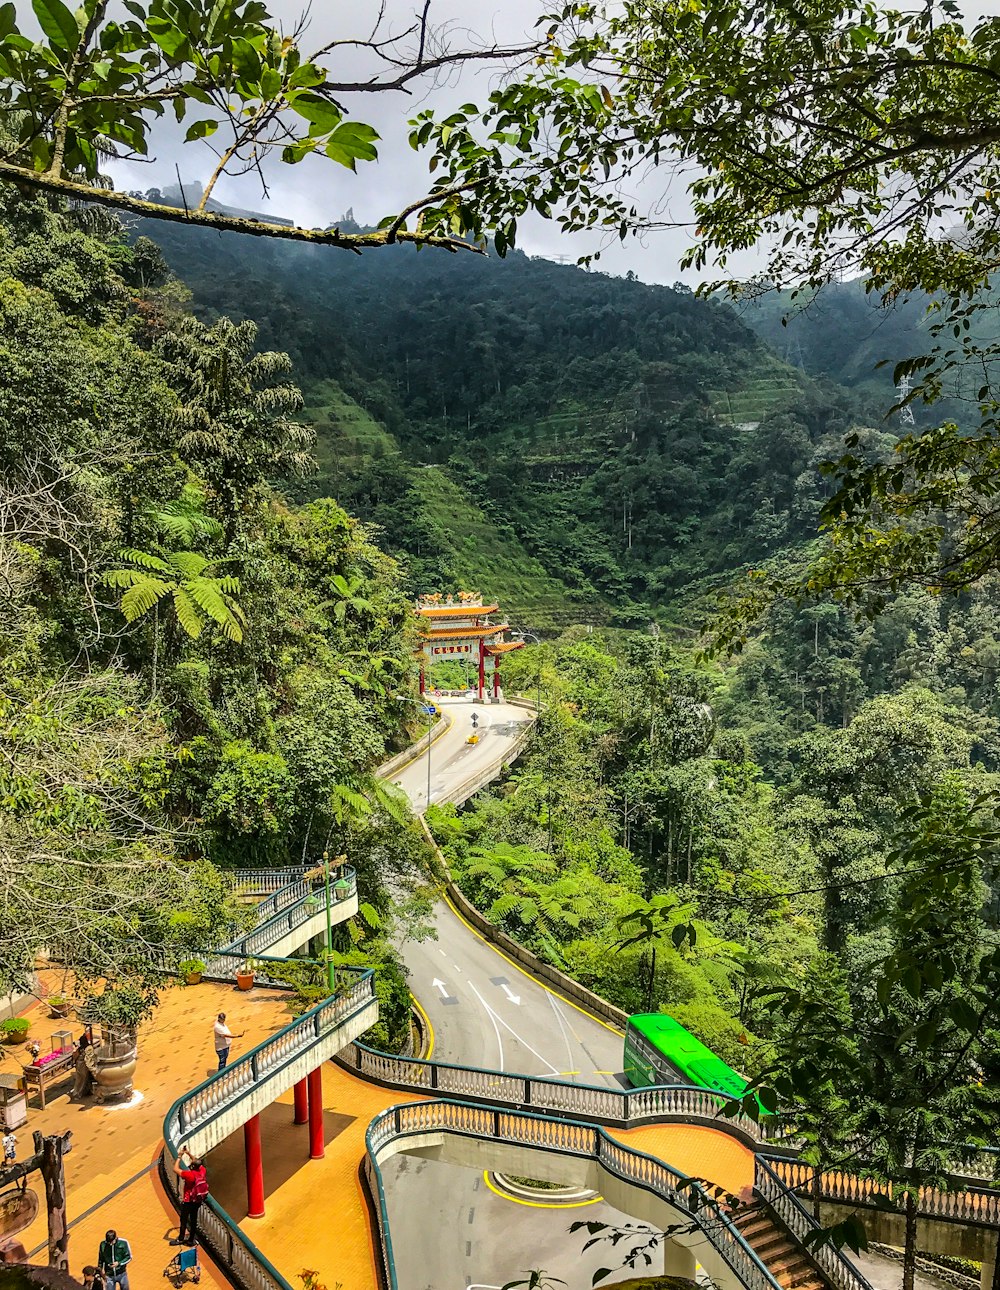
565,1138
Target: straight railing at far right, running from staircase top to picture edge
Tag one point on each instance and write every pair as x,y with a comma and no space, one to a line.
966,1204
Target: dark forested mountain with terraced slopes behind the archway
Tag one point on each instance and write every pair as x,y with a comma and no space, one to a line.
588,444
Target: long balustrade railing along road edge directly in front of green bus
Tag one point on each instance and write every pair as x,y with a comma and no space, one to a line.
620,1107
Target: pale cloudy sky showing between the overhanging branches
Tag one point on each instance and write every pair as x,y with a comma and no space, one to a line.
318,193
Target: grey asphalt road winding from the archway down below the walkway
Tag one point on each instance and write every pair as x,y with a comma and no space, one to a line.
450,1229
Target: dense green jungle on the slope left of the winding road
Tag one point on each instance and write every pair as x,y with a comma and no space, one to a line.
197,674
